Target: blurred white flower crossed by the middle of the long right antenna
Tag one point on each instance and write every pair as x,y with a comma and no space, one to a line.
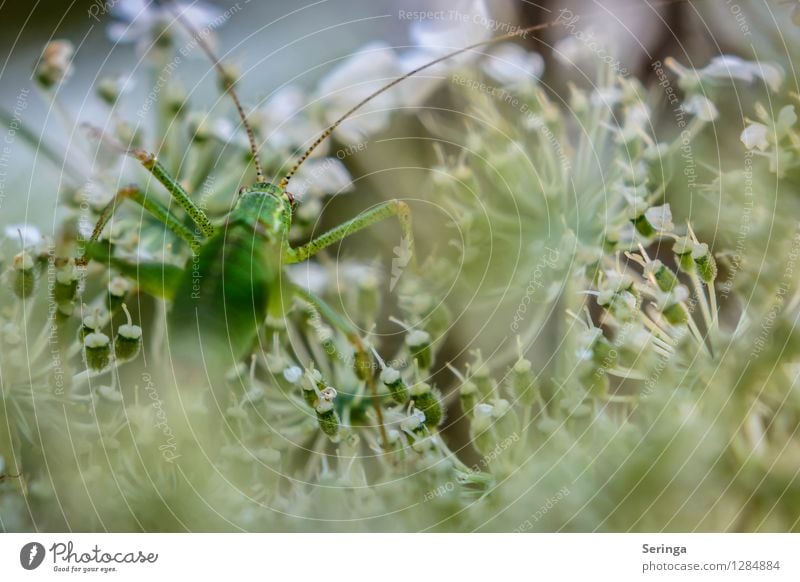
353,80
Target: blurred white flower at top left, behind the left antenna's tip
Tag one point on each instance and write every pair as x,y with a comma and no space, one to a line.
143,22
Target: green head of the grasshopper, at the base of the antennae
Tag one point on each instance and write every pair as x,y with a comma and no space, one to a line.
267,207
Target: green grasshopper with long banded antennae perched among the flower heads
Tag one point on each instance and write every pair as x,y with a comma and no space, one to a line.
220,302
